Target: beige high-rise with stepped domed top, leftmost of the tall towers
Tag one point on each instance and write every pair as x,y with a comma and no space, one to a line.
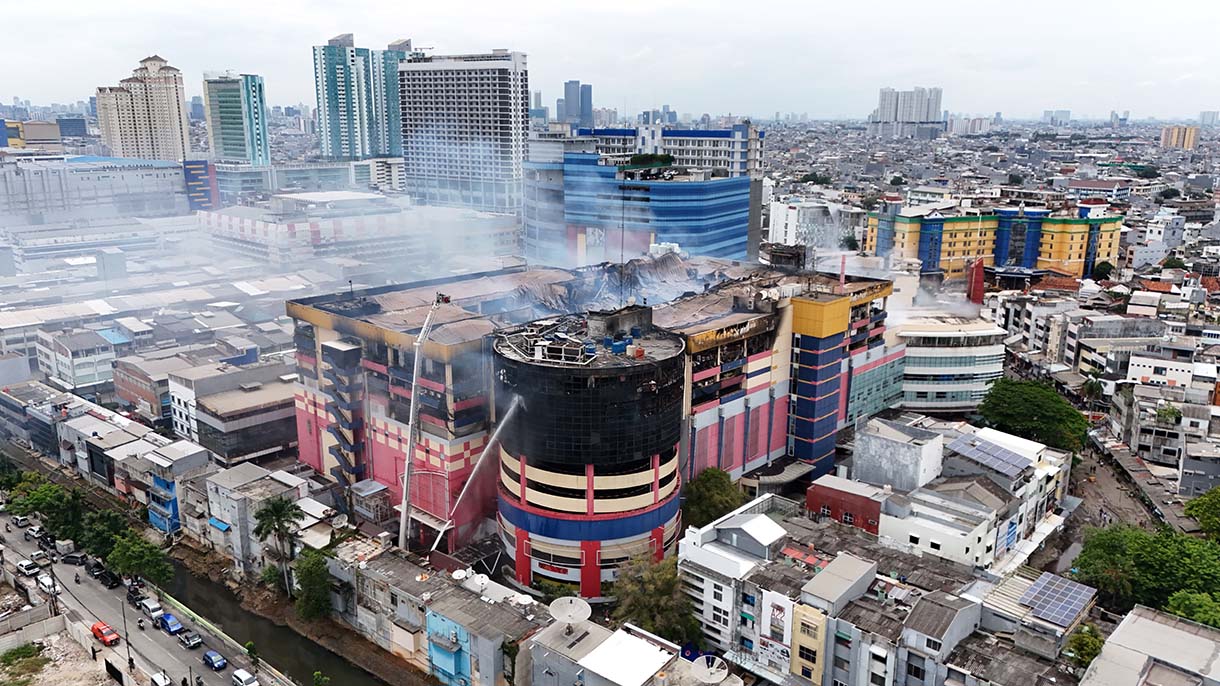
146,115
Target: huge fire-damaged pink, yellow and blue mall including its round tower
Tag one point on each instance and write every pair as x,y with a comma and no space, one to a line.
768,368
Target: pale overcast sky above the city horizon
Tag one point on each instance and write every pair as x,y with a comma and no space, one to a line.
827,58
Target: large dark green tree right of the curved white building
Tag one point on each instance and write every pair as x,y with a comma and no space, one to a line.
1036,412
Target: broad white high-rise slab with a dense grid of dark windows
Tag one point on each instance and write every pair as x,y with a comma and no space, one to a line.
465,120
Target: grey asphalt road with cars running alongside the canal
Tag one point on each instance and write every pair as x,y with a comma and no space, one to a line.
152,650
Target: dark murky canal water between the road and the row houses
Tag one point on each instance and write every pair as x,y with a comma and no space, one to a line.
287,651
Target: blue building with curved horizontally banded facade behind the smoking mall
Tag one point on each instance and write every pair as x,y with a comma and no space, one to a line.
612,213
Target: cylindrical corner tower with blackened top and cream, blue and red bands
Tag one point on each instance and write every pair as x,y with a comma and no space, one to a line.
591,414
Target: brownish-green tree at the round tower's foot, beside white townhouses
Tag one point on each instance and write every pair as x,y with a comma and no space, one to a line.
651,596
